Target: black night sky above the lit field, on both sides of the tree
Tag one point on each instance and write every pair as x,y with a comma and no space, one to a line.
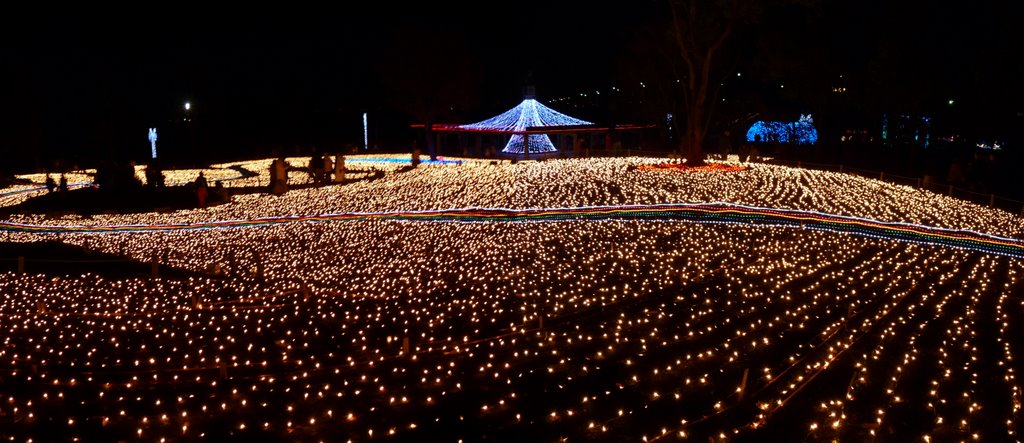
90,85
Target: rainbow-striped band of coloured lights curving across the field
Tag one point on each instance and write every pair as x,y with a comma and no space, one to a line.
701,213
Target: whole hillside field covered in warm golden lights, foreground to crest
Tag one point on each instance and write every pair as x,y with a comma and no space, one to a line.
607,330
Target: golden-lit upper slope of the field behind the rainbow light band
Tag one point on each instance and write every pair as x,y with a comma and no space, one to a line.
562,184
